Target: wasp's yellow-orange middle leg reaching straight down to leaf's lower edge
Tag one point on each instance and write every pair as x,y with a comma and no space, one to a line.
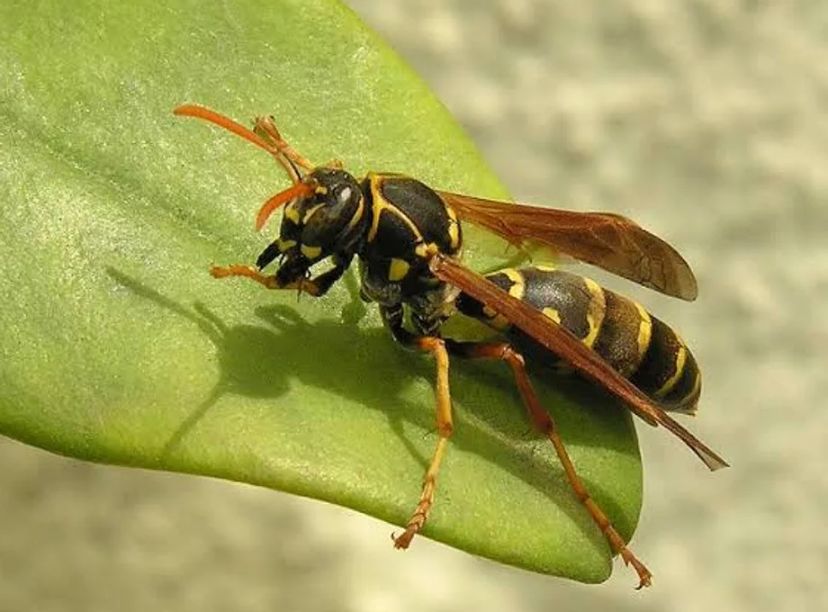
437,347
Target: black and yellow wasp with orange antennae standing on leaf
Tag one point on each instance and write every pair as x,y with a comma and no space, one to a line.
407,239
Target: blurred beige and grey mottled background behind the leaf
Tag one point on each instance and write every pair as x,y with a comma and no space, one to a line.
705,121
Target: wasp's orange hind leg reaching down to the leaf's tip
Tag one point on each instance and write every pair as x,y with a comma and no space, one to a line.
544,422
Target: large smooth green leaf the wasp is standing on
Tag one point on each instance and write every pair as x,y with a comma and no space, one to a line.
117,346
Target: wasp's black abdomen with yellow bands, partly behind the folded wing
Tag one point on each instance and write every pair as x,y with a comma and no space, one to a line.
639,346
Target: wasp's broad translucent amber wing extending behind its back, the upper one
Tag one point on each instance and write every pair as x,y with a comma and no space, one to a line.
606,240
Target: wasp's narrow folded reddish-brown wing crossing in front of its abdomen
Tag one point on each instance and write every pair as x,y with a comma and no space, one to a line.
560,341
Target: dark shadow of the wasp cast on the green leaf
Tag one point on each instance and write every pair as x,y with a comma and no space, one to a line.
338,357
